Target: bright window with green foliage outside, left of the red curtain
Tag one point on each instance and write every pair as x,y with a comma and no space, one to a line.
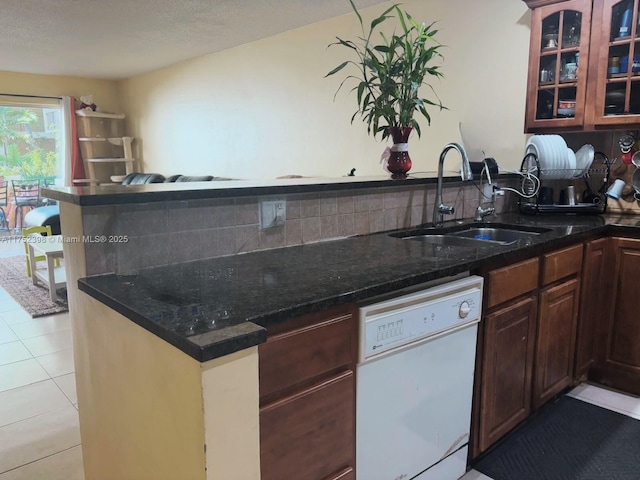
32,139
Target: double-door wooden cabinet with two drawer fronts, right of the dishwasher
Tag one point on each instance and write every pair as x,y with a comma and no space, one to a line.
526,341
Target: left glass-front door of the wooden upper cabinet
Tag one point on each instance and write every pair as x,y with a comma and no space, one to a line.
559,49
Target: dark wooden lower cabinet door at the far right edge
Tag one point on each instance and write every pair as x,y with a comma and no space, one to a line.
618,336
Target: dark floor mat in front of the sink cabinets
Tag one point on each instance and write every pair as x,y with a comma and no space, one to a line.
568,440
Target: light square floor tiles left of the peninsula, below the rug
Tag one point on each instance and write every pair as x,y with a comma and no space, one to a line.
39,432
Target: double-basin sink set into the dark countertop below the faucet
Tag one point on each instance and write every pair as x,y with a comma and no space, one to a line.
474,235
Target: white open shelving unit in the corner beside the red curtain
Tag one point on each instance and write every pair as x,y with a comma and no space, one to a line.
103,144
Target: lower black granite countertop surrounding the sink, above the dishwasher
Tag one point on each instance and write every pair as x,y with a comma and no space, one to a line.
210,308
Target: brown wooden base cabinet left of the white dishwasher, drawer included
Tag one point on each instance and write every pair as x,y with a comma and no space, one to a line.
307,397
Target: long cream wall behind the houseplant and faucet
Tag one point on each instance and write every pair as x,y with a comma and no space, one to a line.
264,109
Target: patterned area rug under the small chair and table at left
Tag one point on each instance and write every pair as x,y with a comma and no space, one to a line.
34,299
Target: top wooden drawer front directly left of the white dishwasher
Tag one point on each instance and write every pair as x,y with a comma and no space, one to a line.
293,357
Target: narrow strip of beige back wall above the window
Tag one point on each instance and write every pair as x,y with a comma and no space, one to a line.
105,92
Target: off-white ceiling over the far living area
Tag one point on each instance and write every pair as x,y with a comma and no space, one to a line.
115,39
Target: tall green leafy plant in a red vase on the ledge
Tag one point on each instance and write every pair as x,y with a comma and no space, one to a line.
389,77
